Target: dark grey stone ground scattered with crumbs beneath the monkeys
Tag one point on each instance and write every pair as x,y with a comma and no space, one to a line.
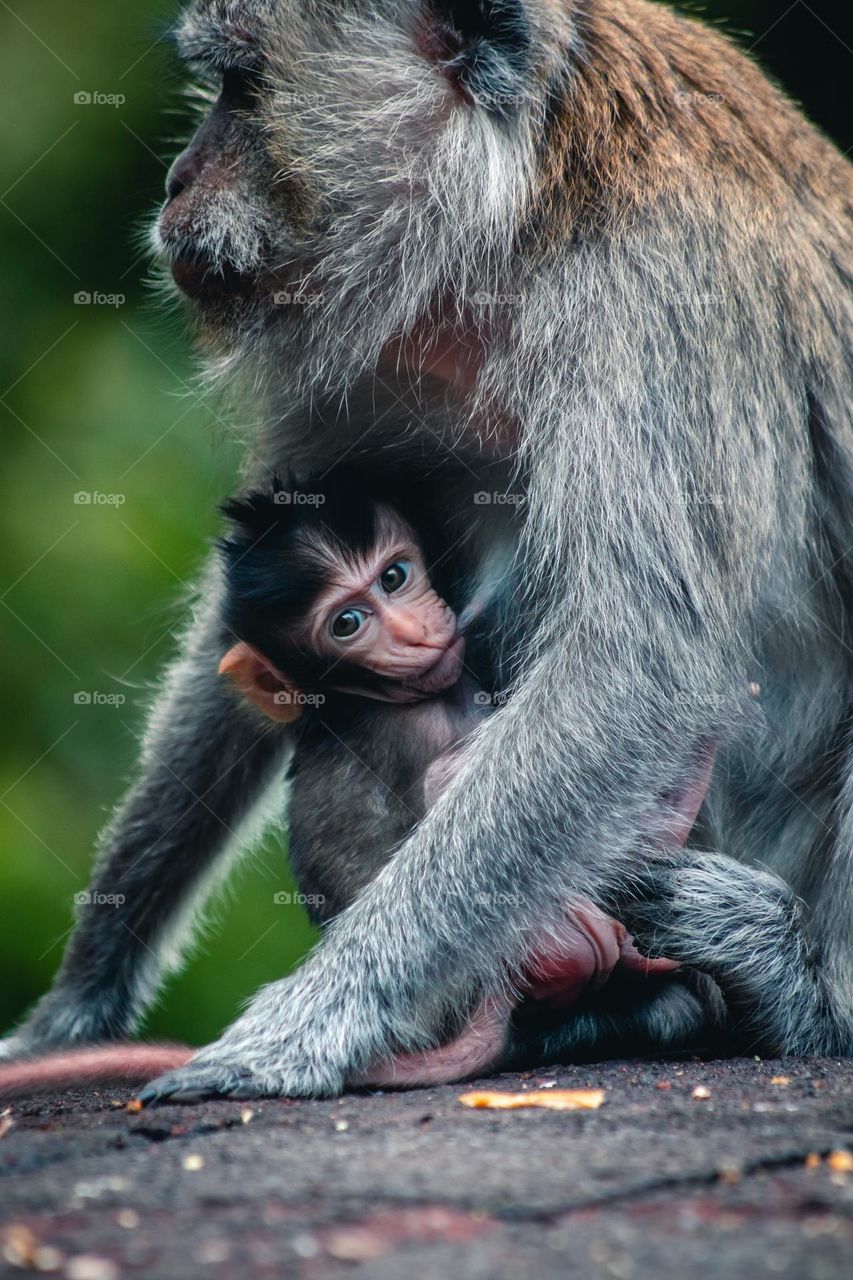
749,1182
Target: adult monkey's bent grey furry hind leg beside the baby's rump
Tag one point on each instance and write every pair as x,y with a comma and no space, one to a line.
745,927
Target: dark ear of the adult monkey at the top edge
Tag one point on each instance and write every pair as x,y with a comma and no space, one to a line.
483,47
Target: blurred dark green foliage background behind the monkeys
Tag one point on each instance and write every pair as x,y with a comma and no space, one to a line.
98,399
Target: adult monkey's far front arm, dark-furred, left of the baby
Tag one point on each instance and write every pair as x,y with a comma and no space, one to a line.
204,764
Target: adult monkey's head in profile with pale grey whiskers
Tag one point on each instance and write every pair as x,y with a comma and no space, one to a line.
358,168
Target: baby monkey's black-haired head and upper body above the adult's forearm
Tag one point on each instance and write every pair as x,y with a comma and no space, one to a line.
332,604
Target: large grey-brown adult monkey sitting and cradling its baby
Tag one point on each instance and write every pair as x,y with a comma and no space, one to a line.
670,377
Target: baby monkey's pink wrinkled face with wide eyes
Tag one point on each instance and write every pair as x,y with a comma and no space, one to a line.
382,612
